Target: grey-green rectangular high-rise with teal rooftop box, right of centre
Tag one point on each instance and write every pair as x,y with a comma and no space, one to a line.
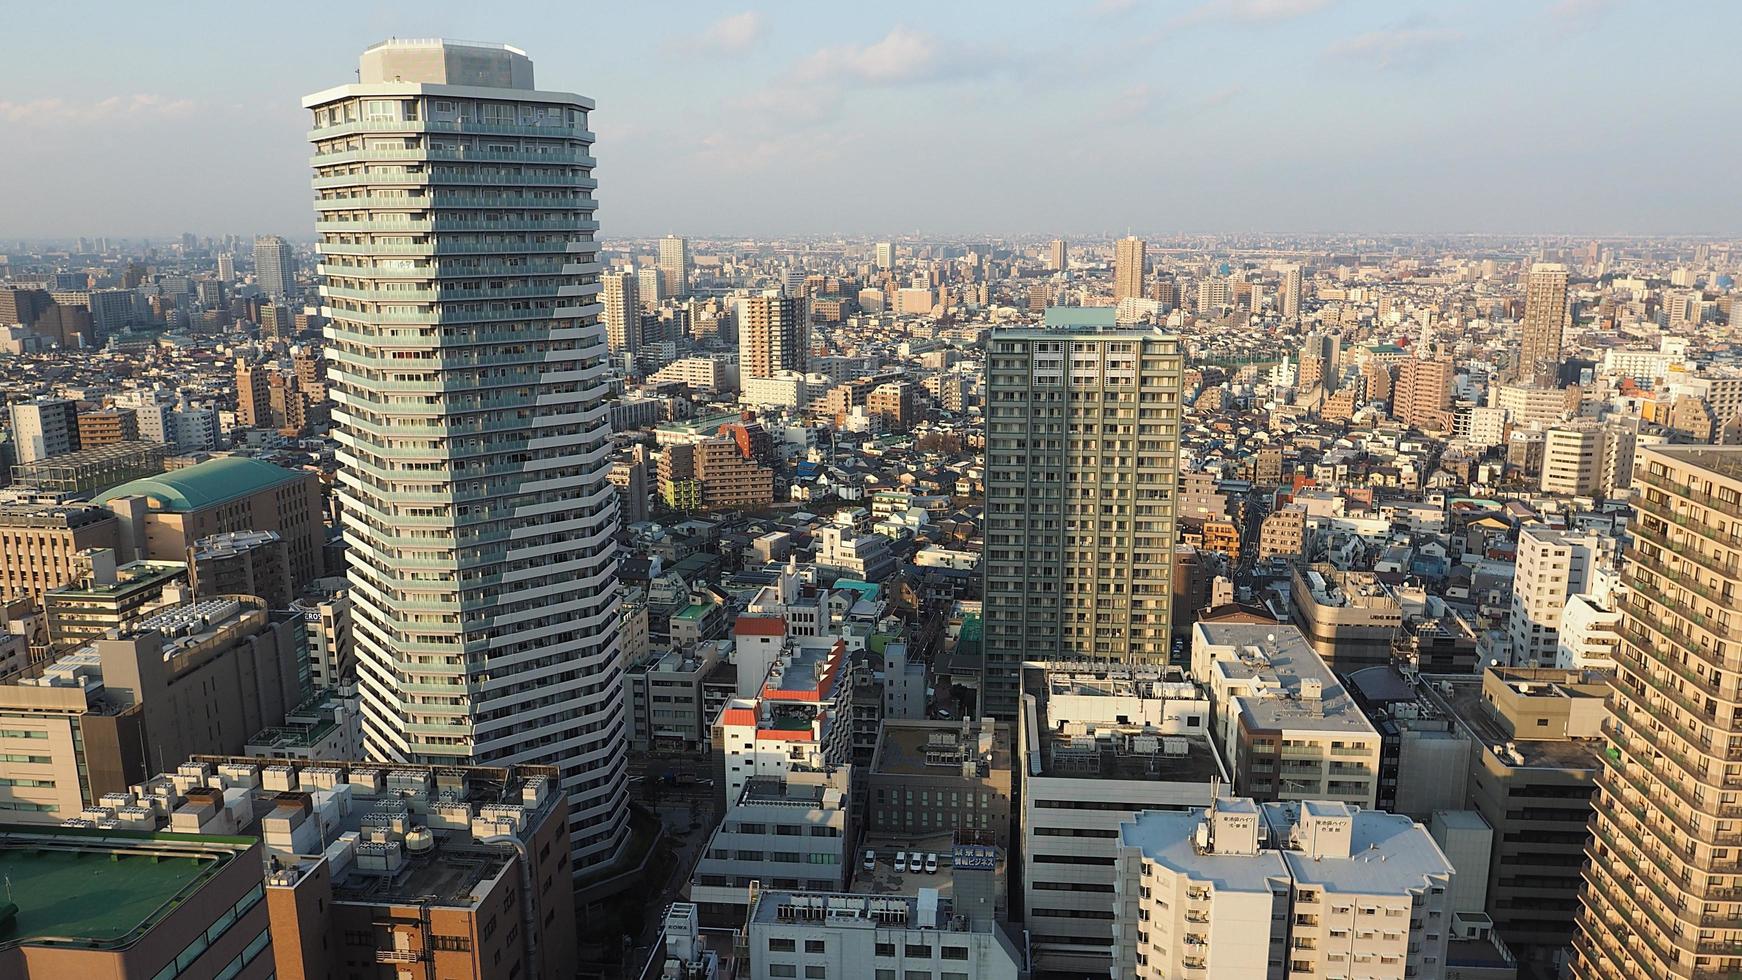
1083,450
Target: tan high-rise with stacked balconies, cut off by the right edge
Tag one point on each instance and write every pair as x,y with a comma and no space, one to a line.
1661,896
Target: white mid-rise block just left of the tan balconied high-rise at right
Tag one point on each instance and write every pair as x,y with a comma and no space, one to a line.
1553,567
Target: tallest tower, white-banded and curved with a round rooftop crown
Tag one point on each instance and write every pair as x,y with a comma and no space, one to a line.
469,372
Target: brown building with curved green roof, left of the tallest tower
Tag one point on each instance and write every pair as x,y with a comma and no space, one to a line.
165,516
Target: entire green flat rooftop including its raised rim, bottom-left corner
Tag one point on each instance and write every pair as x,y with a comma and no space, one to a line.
100,890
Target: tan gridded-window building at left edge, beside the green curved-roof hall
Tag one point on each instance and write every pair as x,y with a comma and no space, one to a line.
43,546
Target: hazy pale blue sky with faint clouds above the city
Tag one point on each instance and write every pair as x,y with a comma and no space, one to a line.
945,117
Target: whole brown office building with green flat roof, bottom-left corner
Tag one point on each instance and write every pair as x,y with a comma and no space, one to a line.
88,903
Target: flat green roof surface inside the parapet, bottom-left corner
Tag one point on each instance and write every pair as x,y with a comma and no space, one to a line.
97,896
